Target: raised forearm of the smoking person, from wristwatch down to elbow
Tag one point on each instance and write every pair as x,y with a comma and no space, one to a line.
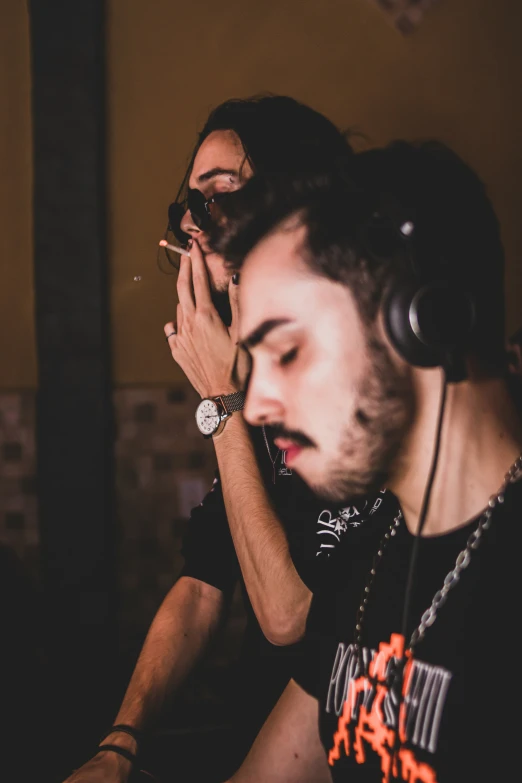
279,597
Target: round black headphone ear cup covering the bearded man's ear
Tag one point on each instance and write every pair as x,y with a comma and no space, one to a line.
429,324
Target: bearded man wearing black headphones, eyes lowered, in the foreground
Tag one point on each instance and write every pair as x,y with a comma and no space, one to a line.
372,304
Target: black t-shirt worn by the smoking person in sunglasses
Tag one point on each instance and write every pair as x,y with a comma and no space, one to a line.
313,532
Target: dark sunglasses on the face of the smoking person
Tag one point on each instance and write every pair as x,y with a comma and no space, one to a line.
203,212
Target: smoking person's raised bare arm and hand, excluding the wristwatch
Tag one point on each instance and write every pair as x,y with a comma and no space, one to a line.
205,349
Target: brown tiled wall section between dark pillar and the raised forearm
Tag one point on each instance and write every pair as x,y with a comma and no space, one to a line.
163,468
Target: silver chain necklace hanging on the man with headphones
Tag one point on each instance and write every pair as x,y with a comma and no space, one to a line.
462,562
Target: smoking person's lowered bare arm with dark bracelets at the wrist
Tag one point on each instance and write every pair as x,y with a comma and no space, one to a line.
178,636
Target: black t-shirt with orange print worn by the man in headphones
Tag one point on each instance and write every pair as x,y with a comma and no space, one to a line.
460,712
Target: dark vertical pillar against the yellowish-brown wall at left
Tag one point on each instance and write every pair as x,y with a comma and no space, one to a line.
74,410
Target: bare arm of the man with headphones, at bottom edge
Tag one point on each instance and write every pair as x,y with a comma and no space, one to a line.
288,748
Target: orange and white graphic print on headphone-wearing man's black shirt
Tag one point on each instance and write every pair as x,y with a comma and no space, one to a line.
370,710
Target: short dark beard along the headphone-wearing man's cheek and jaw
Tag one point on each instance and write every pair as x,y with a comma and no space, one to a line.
381,419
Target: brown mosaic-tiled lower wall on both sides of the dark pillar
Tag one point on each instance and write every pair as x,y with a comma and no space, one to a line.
163,469
